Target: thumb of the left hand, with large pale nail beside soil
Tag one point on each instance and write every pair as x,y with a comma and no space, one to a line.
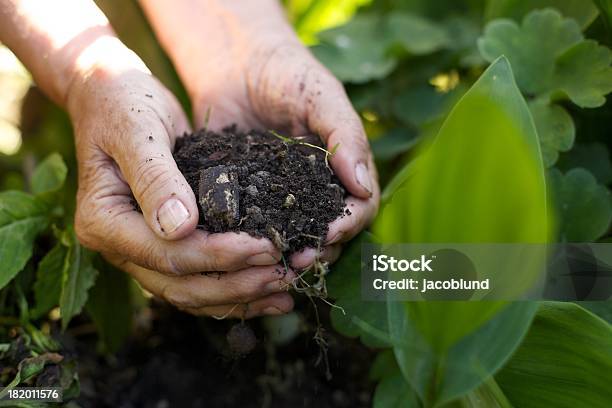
144,155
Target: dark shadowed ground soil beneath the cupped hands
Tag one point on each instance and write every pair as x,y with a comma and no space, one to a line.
184,361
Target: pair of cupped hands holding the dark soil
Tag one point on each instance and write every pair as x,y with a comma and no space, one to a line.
126,123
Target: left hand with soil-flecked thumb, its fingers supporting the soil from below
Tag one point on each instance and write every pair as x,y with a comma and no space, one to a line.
125,124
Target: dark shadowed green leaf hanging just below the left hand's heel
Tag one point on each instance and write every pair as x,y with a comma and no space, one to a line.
110,305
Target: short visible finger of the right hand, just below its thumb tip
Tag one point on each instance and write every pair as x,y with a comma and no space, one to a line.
346,227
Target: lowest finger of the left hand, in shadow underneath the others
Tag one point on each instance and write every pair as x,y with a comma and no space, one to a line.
272,305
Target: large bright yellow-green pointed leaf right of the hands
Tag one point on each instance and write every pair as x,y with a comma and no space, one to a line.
490,143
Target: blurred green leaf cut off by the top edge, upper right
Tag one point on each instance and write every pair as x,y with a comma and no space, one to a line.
583,11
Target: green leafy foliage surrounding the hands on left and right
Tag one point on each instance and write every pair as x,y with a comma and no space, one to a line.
433,81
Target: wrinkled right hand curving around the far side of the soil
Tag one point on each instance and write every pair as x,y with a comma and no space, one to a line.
280,85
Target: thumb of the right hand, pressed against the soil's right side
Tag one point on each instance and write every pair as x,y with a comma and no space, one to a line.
331,115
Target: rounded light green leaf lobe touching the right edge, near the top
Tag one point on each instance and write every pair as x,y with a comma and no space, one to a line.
584,74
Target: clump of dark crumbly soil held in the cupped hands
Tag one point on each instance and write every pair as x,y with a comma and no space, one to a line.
260,183
